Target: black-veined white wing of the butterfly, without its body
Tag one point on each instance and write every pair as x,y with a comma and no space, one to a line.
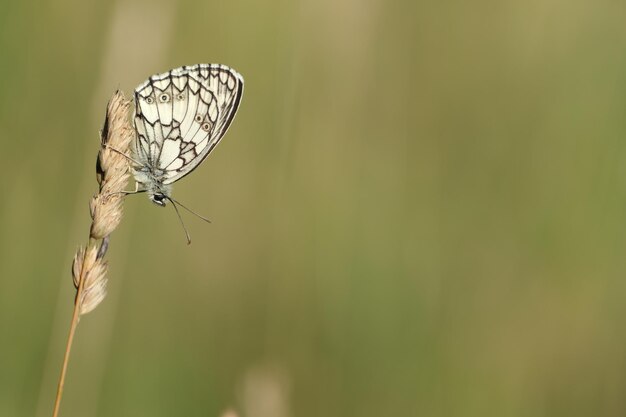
182,115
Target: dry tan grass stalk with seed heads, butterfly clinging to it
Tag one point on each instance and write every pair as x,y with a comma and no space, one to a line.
89,268
